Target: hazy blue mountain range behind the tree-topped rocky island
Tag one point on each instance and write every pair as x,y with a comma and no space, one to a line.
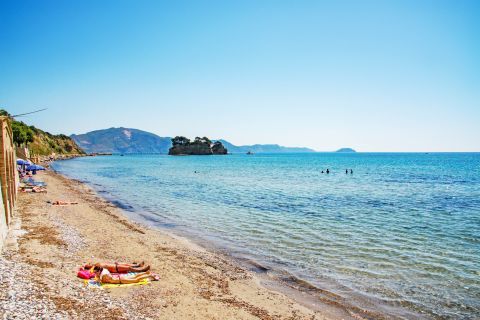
127,140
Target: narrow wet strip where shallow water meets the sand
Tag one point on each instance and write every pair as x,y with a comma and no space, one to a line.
313,297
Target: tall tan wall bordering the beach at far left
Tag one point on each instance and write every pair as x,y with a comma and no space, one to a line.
8,177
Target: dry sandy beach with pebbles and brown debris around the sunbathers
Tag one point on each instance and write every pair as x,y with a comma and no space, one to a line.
47,244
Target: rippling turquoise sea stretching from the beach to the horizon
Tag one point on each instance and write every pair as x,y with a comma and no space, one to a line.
401,235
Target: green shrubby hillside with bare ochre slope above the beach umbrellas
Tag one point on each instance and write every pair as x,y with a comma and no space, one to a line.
40,142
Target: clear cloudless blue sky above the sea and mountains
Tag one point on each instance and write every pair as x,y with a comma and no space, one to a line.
372,75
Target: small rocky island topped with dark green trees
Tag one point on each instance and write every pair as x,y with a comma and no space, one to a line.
200,146
